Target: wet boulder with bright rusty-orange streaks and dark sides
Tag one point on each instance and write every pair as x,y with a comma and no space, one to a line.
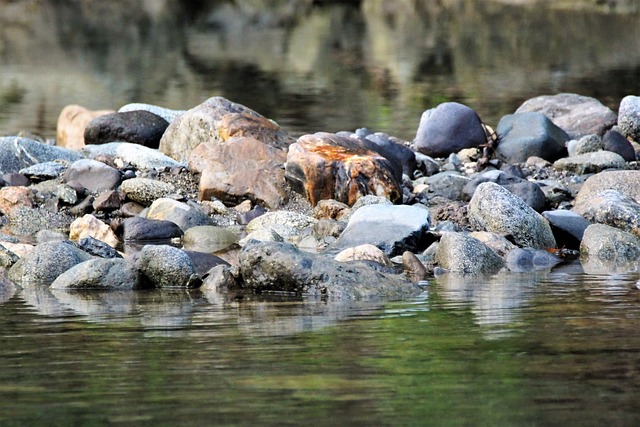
328,166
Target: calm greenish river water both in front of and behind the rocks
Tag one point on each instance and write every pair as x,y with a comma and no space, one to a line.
550,348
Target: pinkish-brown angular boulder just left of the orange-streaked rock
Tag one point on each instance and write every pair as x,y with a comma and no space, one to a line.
238,169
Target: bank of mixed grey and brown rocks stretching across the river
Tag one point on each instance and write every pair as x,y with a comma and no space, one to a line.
221,198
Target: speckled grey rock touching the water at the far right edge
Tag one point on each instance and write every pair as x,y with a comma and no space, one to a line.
609,244
